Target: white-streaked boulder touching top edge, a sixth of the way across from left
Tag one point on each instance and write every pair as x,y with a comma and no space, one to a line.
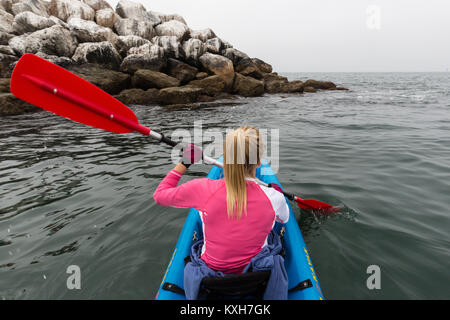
65,9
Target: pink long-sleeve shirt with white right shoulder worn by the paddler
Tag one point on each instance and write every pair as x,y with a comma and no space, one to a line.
229,244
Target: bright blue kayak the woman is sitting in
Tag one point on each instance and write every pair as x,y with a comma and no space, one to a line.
302,278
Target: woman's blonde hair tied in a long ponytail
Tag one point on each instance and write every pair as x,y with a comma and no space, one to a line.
242,154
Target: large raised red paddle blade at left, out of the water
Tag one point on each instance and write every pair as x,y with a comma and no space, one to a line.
50,87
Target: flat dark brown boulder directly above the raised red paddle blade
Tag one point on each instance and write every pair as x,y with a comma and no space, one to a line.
109,81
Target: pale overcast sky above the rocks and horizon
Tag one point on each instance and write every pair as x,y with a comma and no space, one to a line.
327,35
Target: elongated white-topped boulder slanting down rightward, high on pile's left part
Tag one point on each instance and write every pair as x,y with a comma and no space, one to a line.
89,31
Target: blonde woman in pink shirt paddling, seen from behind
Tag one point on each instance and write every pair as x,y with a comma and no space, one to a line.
237,213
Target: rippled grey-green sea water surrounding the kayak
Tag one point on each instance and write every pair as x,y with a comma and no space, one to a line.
74,195
